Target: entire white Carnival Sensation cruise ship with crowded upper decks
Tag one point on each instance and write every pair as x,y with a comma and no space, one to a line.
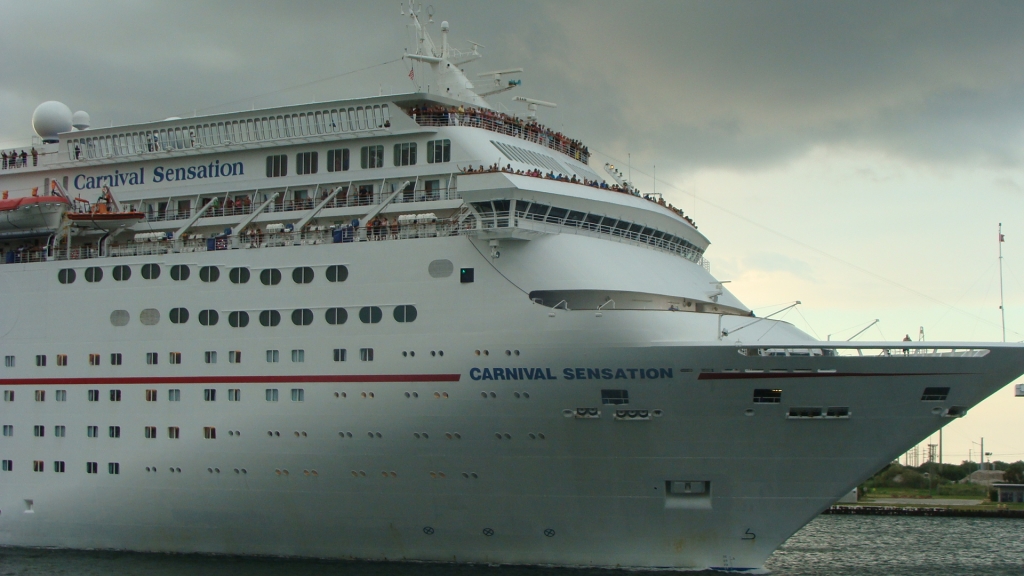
412,328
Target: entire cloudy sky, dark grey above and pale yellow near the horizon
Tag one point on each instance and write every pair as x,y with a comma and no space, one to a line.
858,157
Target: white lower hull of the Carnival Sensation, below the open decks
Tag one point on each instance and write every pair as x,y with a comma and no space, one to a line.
593,492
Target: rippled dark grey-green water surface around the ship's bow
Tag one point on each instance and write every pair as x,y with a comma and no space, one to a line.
829,546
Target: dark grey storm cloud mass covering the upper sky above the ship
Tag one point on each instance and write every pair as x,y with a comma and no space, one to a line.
693,85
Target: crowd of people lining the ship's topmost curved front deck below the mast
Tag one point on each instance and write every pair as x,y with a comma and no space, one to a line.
528,130
